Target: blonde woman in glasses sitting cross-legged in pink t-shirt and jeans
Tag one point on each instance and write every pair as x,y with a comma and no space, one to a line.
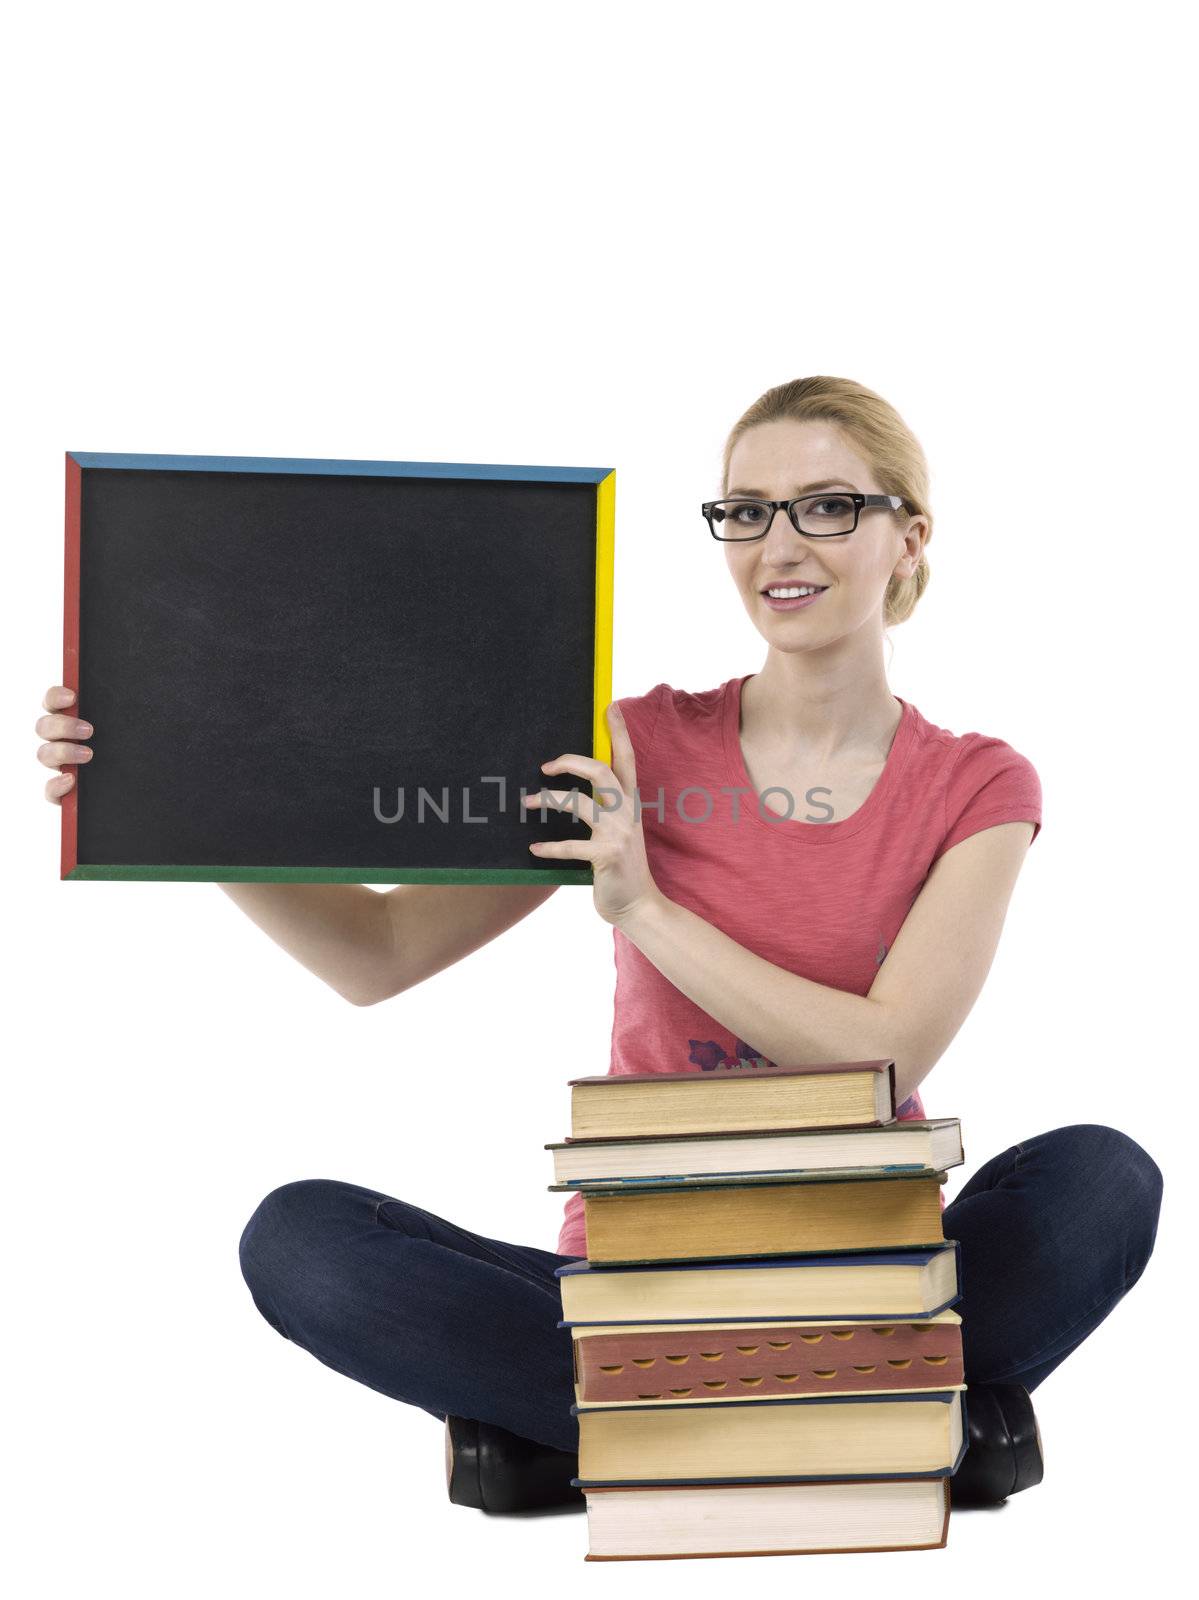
852,919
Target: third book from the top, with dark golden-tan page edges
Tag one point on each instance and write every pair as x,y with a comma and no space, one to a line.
763,1218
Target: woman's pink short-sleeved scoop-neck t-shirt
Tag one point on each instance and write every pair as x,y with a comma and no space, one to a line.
824,900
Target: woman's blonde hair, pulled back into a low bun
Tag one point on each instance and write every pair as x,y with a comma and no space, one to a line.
880,436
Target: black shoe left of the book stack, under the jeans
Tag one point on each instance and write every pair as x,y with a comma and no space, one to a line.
495,1471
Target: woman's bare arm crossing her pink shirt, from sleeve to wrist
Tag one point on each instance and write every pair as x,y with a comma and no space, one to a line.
921,998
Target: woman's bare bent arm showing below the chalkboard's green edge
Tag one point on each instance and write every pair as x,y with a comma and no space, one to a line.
372,946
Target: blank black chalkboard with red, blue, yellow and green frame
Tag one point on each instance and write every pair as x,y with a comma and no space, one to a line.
332,671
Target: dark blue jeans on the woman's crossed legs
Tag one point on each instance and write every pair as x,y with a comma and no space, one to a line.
1053,1234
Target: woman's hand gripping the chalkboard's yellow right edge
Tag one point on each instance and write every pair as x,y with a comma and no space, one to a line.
622,881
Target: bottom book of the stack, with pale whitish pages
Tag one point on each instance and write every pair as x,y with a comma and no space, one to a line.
827,1518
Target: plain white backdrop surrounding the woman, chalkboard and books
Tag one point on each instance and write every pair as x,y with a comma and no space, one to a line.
588,238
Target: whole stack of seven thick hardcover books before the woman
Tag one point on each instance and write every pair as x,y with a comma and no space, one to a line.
766,1354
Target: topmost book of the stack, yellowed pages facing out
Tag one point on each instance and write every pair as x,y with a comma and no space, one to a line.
732,1100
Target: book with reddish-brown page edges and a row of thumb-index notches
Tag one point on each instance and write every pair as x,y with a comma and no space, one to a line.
744,1361
